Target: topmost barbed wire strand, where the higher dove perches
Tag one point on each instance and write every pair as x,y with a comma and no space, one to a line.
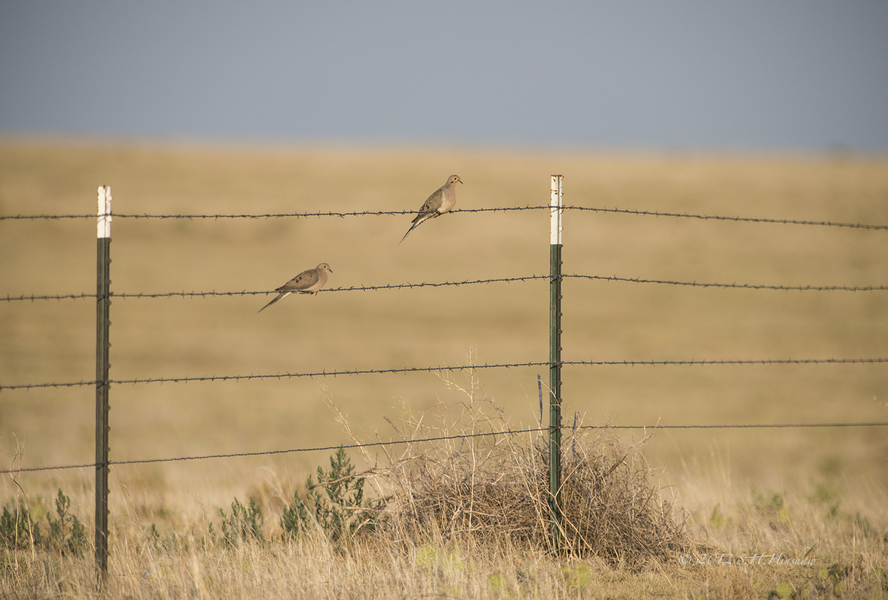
628,211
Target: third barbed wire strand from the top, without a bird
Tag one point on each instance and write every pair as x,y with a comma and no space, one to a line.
404,370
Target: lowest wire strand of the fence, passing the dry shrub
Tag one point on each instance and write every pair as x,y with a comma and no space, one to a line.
438,439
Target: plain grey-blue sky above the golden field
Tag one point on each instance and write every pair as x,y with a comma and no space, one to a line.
687,75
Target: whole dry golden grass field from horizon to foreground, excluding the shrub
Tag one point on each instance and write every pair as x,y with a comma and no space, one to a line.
741,492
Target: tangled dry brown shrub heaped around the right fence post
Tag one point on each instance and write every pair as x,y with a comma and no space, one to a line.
483,482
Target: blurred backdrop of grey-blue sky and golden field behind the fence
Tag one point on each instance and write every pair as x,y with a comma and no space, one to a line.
754,109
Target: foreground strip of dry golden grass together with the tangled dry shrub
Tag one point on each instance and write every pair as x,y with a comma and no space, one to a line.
455,527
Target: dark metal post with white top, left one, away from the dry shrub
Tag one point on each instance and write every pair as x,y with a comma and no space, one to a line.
103,304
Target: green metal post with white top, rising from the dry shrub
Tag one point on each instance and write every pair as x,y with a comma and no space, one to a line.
555,362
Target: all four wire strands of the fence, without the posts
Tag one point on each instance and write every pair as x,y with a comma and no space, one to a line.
406,370
